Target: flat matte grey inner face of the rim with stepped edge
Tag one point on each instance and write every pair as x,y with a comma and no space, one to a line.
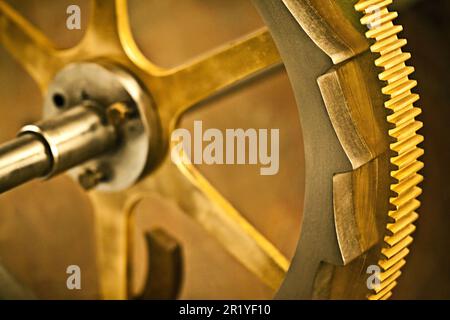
305,63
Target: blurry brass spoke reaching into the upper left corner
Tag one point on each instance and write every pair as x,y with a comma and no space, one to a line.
28,46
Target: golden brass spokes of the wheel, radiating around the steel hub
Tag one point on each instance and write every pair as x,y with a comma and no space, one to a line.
109,37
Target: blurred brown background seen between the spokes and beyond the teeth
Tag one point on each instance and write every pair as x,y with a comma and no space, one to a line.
41,234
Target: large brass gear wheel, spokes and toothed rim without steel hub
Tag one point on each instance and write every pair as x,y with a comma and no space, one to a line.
341,231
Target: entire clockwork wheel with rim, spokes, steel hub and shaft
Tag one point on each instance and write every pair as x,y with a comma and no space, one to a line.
108,113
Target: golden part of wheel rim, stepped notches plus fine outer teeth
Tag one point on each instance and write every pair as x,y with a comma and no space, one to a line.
353,96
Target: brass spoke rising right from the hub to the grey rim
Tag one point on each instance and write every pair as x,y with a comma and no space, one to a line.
189,84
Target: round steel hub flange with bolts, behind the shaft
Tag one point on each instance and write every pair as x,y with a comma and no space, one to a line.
126,108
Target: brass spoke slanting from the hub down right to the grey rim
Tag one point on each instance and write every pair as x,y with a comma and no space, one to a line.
203,203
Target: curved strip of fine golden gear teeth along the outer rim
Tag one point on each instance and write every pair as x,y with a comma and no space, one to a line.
405,140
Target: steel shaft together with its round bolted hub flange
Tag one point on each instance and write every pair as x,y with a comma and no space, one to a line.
92,126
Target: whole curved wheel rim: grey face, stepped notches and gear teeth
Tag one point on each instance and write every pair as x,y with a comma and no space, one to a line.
338,243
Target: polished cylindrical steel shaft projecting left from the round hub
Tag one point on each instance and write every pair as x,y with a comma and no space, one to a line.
54,146
